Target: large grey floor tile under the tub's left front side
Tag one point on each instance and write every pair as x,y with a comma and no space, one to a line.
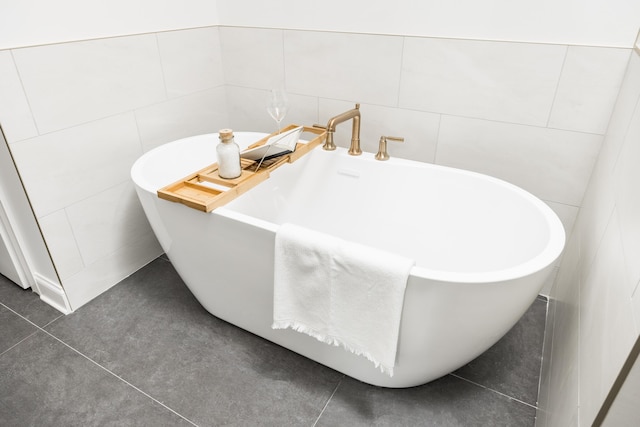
152,332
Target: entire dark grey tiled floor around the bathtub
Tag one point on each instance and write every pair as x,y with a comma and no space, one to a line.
145,353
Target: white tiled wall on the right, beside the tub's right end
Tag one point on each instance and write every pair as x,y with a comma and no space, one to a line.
595,304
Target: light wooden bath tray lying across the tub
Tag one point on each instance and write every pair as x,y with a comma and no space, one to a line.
204,190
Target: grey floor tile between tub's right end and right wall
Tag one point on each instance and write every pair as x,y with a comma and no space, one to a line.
512,365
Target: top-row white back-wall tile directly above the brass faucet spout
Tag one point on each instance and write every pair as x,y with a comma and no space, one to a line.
343,66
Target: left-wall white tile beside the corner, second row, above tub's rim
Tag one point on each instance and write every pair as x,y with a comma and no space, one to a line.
198,113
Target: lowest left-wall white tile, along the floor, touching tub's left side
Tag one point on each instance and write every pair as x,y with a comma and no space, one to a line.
106,272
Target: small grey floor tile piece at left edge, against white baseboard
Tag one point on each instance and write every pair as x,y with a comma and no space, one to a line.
26,303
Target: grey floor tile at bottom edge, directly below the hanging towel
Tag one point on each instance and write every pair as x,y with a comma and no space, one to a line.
446,402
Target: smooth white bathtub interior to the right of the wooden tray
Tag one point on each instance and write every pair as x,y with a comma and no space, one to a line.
447,220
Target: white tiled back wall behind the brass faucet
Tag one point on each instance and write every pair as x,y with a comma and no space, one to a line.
532,114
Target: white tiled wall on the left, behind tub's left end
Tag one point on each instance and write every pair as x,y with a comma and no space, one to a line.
77,115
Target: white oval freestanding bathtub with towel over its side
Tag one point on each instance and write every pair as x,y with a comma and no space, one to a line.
483,247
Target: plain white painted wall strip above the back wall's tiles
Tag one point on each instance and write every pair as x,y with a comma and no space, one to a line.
587,22
